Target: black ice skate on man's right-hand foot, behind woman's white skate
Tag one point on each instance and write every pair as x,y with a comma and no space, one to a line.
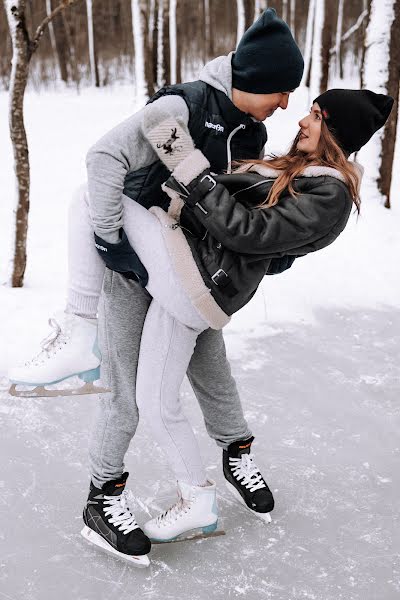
244,480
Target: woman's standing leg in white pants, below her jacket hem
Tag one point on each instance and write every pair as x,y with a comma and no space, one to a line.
165,350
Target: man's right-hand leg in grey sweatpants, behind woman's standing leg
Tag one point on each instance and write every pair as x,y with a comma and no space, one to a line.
210,376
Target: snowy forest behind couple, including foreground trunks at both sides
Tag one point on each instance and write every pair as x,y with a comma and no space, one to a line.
159,42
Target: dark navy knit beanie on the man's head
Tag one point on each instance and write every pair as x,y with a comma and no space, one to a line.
267,59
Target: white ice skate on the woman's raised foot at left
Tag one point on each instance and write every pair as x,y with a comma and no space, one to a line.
70,350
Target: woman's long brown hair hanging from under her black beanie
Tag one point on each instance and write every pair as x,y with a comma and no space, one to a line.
292,164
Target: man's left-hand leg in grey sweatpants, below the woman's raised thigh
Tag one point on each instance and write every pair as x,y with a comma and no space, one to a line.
122,311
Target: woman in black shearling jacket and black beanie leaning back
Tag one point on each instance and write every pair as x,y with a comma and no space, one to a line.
207,256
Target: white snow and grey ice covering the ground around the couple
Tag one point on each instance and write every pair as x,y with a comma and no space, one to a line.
316,358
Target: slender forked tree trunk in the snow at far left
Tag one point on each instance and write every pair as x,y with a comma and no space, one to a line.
23,48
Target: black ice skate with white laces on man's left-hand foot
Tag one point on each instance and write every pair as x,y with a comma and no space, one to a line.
111,525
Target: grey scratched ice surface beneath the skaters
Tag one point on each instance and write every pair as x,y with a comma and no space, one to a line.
323,402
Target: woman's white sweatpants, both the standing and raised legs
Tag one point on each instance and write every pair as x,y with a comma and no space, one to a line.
169,334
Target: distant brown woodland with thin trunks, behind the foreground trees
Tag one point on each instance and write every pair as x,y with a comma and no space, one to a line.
93,41
